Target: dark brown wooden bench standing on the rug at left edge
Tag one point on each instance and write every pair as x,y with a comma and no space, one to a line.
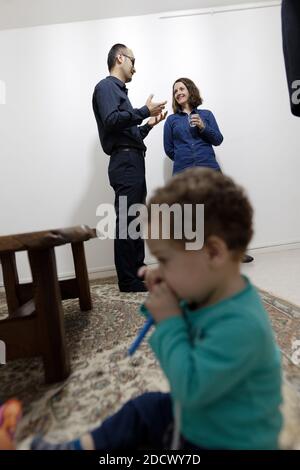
35,322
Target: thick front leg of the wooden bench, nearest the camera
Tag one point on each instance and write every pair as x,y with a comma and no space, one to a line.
50,318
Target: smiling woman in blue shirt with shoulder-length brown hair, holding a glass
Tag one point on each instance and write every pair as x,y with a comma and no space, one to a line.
190,133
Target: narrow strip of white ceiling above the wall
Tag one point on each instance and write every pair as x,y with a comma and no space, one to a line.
26,13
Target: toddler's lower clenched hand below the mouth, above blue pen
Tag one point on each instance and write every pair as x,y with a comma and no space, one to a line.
162,303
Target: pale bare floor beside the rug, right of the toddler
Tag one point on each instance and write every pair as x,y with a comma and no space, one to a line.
277,272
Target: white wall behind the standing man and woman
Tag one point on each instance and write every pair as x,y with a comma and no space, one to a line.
53,170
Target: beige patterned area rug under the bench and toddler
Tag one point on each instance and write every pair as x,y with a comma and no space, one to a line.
103,376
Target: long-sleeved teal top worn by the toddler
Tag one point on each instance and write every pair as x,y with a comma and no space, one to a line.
224,371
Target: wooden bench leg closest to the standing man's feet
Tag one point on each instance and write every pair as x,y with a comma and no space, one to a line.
82,278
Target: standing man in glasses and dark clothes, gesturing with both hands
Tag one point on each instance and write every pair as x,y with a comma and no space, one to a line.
123,140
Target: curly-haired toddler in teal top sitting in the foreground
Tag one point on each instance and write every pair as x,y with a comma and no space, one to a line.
212,336
